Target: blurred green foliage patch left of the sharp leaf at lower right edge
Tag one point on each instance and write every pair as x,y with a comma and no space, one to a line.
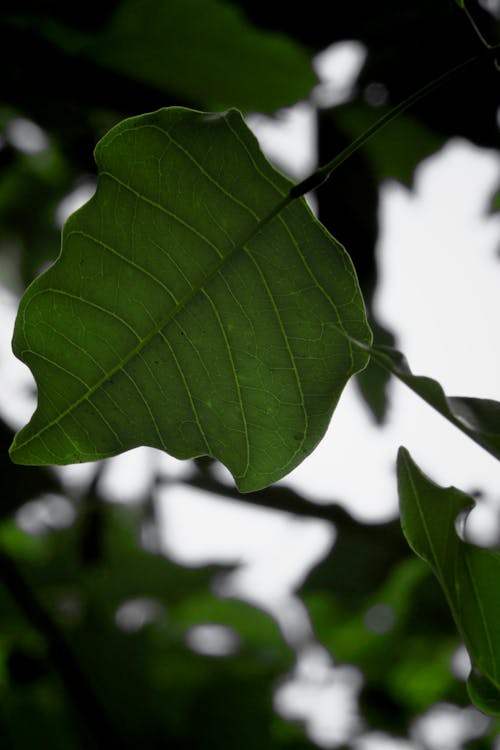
372,604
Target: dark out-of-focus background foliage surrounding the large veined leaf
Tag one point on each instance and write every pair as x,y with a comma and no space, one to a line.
64,663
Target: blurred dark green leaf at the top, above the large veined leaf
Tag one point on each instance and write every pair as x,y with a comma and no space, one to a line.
202,50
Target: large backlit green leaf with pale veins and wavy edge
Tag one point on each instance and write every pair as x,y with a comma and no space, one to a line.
184,313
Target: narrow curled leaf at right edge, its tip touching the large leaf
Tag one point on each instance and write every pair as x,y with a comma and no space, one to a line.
478,418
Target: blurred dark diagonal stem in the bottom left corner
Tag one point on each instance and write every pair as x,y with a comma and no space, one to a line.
73,678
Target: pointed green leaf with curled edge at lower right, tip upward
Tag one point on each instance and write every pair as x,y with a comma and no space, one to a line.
469,575
